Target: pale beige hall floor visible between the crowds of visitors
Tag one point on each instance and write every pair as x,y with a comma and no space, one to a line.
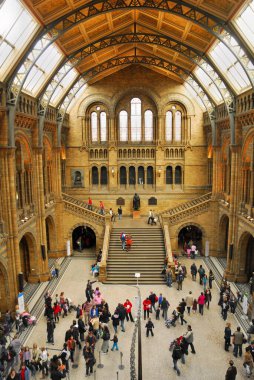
210,361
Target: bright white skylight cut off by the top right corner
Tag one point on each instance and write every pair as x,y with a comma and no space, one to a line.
245,24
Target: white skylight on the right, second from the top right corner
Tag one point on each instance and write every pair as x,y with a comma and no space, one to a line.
230,66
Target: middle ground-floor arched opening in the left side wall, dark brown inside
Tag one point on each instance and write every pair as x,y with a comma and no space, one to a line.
27,255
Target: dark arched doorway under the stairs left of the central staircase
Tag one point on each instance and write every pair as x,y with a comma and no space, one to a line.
83,238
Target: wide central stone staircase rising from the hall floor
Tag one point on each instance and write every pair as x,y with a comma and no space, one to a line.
146,256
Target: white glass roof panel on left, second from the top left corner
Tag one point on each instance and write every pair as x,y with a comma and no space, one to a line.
42,69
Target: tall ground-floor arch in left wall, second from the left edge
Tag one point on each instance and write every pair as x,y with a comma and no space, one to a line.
28,255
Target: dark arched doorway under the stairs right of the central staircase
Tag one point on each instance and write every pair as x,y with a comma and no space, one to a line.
188,235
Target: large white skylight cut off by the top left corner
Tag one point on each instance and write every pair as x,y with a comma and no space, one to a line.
17,27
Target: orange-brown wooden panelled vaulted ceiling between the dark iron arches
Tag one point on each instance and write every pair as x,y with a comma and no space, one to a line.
146,22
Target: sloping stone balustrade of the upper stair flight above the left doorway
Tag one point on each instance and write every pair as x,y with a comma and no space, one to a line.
80,208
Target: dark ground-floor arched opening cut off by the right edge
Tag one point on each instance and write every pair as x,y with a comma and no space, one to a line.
246,253
